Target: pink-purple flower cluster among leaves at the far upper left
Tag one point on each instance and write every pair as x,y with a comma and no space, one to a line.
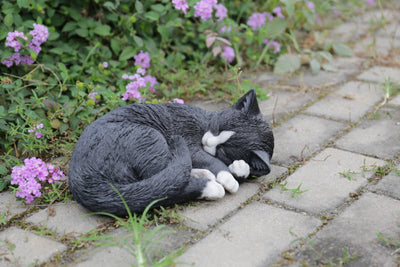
39,35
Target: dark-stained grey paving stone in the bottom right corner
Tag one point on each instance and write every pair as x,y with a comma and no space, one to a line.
356,230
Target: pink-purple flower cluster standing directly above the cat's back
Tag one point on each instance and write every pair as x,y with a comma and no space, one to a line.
139,80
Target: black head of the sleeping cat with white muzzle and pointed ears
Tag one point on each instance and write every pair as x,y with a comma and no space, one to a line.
242,133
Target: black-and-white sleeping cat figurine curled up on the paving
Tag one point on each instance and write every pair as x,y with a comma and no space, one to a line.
173,152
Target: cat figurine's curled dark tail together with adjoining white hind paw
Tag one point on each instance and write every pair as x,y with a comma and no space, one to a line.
173,185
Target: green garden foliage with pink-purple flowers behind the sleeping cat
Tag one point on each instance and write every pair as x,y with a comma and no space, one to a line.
66,62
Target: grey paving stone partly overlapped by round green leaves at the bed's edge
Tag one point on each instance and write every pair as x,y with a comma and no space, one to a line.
346,66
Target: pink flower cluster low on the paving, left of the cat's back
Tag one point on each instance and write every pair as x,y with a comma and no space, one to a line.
29,177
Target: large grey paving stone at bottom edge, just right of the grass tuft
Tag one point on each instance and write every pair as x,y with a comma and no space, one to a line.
255,236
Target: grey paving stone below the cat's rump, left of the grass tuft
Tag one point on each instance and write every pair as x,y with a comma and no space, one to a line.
66,218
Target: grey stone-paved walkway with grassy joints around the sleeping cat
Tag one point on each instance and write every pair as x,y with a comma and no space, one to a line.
333,195
